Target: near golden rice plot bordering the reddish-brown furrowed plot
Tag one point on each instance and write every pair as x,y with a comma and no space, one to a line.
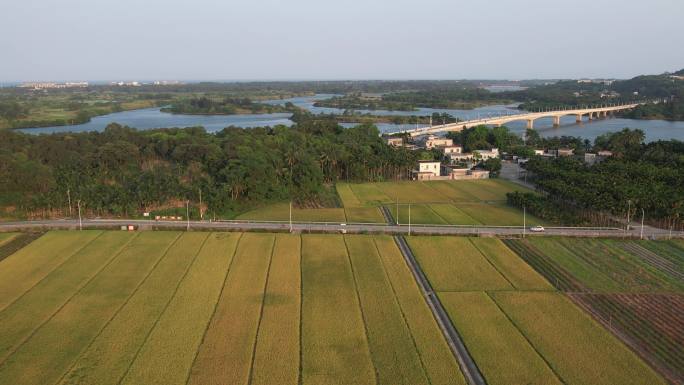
578,349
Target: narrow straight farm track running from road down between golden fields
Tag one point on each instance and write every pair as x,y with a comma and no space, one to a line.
466,362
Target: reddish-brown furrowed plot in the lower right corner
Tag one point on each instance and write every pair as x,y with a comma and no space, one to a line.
651,324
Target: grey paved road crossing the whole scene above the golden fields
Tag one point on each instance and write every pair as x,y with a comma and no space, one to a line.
328,227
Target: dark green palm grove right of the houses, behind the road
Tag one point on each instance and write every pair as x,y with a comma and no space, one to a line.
638,175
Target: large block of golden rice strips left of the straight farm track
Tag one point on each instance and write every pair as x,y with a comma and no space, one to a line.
216,308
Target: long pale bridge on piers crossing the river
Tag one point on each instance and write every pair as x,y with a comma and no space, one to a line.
594,112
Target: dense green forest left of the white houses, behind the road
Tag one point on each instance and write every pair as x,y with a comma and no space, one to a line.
122,171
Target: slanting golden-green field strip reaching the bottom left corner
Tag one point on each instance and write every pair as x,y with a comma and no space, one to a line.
51,349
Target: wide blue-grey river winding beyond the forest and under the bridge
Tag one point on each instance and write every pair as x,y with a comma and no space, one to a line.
150,118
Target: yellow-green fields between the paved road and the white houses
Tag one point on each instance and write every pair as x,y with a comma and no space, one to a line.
469,202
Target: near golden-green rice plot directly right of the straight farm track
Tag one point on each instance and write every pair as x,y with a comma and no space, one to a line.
501,352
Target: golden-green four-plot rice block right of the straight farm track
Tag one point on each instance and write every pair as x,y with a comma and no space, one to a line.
515,325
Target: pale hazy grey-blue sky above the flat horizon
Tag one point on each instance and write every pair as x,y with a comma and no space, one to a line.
59,40
